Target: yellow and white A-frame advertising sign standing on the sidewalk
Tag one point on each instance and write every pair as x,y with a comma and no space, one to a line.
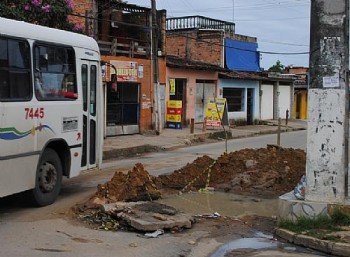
216,112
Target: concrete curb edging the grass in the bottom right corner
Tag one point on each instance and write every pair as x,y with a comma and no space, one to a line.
328,247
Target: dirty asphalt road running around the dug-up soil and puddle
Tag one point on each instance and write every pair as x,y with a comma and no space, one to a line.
47,231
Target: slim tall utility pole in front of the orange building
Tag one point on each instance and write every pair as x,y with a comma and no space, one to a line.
155,29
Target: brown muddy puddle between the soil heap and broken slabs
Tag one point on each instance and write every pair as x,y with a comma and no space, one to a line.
225,204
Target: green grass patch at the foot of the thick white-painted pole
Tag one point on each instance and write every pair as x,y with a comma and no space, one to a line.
320,227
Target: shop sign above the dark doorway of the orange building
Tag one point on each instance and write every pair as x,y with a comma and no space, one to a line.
126,71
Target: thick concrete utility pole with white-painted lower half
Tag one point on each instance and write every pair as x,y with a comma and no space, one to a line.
328,125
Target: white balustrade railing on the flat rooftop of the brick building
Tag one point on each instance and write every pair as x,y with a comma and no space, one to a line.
199,22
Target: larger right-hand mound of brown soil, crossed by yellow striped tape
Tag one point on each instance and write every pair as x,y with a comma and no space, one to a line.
266,172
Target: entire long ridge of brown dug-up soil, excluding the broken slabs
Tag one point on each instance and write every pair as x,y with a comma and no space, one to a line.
266,172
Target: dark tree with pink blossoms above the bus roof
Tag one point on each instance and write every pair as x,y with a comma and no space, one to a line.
50,13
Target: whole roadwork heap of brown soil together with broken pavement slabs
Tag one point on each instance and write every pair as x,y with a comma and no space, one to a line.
127,200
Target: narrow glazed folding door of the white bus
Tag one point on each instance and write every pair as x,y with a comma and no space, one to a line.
89,75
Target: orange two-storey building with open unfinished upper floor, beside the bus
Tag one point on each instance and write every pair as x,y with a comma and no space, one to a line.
123,32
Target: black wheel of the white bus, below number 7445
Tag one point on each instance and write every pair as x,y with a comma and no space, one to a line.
48,179
